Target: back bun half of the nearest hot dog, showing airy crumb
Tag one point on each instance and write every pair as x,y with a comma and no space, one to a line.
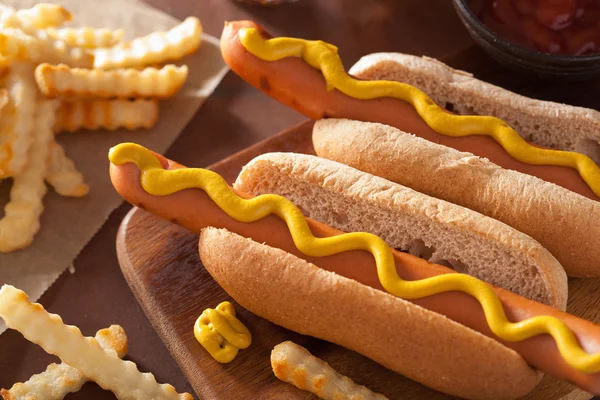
441,232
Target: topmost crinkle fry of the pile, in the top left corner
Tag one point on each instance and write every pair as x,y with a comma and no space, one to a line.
40,16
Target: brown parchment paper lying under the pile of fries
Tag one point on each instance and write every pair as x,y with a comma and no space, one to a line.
68,224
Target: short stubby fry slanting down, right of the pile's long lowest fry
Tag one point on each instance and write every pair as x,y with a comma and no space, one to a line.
63,175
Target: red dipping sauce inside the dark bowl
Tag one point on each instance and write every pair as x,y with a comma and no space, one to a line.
568,27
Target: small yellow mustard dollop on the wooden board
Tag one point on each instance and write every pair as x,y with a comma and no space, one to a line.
221,333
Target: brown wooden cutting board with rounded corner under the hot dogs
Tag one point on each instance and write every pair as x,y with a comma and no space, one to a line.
161,264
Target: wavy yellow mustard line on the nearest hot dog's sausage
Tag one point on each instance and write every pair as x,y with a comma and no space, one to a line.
160,182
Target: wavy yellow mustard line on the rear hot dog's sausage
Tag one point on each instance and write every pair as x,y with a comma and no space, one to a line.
324,56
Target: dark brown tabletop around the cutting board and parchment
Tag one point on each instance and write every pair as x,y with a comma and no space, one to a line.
236,116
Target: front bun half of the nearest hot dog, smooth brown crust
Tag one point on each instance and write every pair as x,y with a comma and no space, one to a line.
408,339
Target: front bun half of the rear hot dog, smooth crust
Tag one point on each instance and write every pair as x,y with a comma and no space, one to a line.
564,222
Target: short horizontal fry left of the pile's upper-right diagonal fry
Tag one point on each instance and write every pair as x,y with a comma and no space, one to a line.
87,37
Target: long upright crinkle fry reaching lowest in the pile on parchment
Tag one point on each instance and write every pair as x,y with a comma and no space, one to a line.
22,213
